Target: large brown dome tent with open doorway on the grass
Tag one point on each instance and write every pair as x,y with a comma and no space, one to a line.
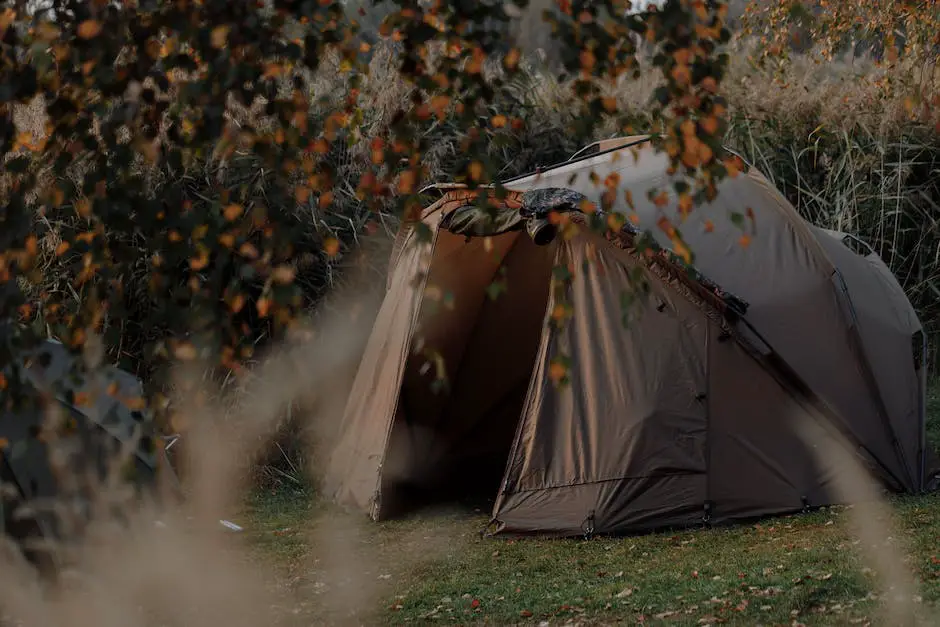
681,382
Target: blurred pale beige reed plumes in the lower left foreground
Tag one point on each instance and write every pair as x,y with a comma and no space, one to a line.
174,564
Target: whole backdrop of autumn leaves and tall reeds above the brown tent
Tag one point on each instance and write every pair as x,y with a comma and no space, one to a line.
186,189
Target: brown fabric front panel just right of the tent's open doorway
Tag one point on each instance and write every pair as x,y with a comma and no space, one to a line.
623,443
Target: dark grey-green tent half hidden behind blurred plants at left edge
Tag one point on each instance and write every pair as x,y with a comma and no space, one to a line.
98,418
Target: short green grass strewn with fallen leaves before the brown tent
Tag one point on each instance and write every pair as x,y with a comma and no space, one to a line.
802,569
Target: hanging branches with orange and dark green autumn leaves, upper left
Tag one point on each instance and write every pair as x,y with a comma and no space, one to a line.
181,196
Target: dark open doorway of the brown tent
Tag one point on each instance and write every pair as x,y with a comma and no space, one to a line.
479,326
